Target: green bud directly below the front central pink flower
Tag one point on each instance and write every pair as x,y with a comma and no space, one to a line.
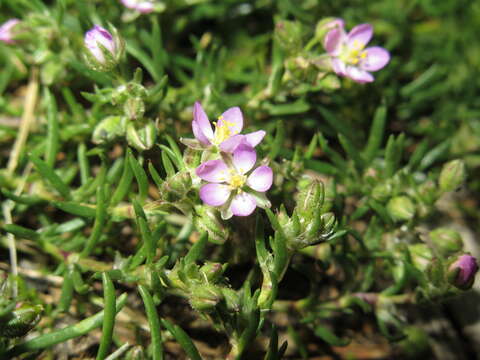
208,220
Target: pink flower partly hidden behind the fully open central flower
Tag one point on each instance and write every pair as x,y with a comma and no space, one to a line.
226,135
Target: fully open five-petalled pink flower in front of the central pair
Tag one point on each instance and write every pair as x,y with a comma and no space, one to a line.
229,185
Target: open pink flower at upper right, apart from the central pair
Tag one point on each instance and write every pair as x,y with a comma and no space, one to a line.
348,54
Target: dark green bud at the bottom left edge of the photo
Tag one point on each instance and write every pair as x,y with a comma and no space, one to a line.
20,321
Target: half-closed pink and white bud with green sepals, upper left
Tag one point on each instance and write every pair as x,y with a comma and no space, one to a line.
103,51
